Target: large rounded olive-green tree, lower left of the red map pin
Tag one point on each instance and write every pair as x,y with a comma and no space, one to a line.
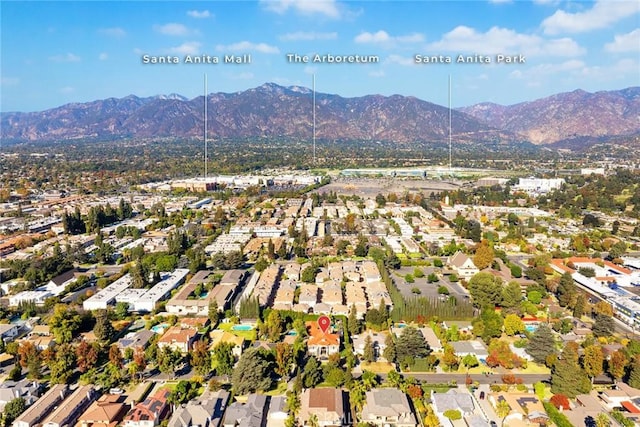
252,373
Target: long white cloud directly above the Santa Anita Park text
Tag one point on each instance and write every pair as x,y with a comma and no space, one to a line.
498,40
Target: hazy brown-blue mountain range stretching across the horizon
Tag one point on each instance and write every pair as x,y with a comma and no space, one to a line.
271,110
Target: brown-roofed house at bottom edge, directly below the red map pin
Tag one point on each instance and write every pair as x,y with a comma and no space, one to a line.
326,404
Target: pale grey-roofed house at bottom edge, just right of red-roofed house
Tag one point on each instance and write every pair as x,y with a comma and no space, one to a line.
206,411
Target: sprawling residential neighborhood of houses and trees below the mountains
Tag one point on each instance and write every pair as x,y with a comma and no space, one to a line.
176,309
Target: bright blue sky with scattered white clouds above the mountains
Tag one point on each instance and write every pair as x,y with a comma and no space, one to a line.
55,53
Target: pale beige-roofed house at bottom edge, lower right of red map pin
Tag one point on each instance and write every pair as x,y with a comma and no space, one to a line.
388,407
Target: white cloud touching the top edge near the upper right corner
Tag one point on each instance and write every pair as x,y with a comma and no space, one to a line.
603,14
